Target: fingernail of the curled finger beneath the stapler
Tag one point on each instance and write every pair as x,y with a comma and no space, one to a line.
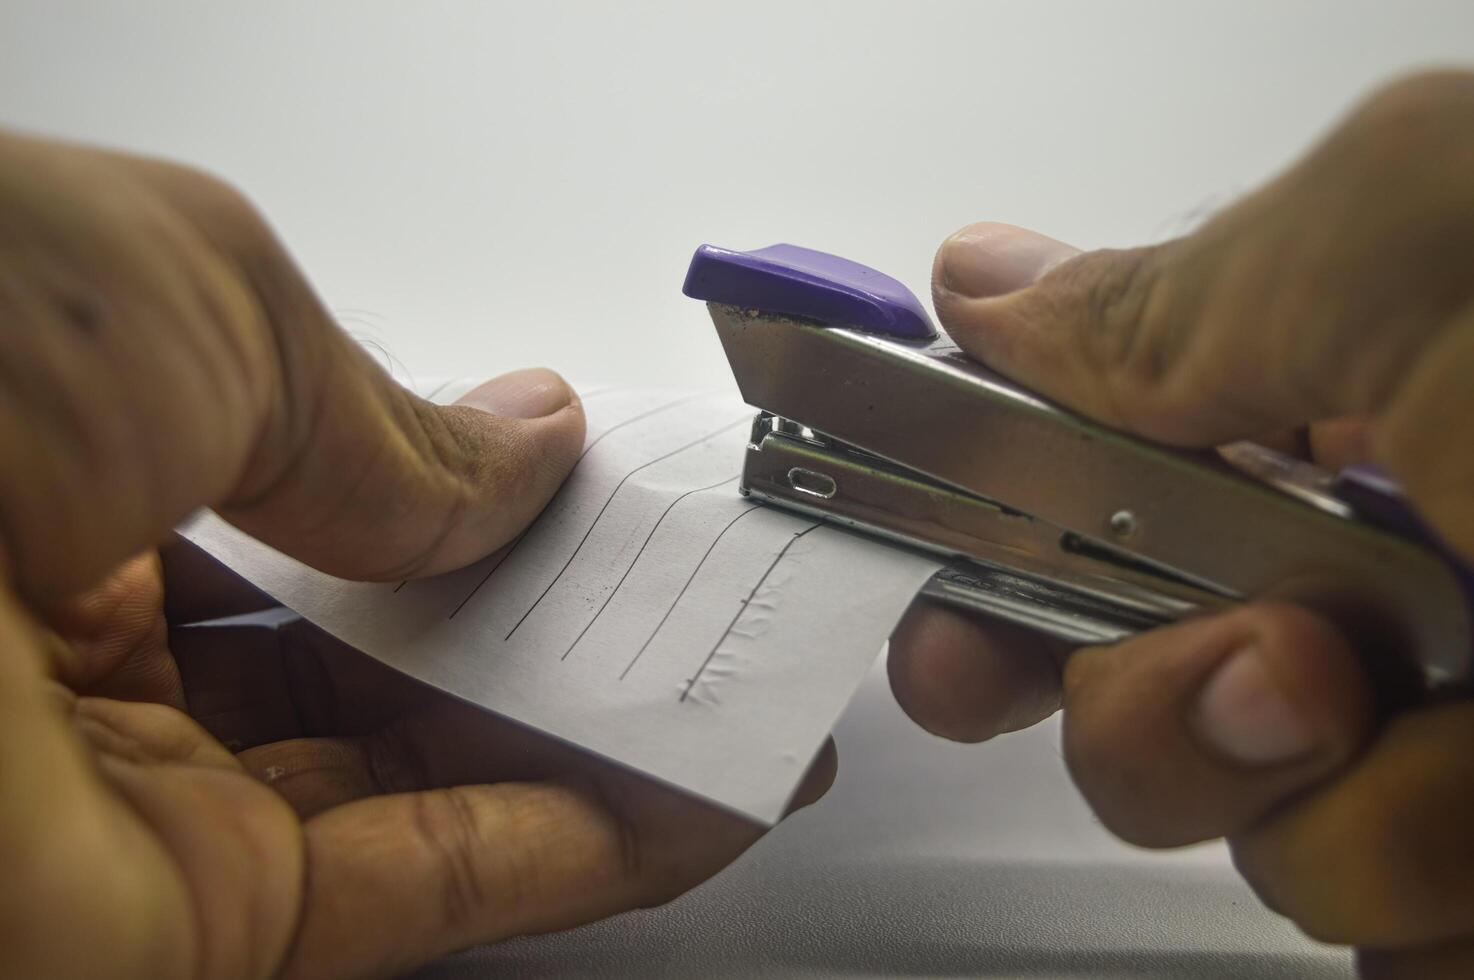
1245,715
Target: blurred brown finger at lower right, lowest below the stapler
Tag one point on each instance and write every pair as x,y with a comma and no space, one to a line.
1382,857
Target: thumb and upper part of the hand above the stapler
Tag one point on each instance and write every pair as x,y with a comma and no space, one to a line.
1318,297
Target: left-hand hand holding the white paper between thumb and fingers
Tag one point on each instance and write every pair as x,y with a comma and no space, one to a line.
160,353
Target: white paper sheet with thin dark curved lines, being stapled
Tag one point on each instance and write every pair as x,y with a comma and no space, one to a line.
651,615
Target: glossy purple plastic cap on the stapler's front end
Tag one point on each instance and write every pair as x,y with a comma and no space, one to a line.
811,285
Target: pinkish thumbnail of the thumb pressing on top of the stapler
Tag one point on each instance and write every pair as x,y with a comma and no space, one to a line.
991,260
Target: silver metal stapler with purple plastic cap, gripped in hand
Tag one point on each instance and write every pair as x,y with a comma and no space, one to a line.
873,419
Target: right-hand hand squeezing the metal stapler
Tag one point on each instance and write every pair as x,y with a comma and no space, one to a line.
1332,312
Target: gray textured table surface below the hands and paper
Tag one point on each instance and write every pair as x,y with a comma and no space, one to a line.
931,860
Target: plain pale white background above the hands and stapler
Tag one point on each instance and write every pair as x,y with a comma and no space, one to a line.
499,185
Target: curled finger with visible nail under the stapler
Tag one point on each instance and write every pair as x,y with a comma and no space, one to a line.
1201,730
